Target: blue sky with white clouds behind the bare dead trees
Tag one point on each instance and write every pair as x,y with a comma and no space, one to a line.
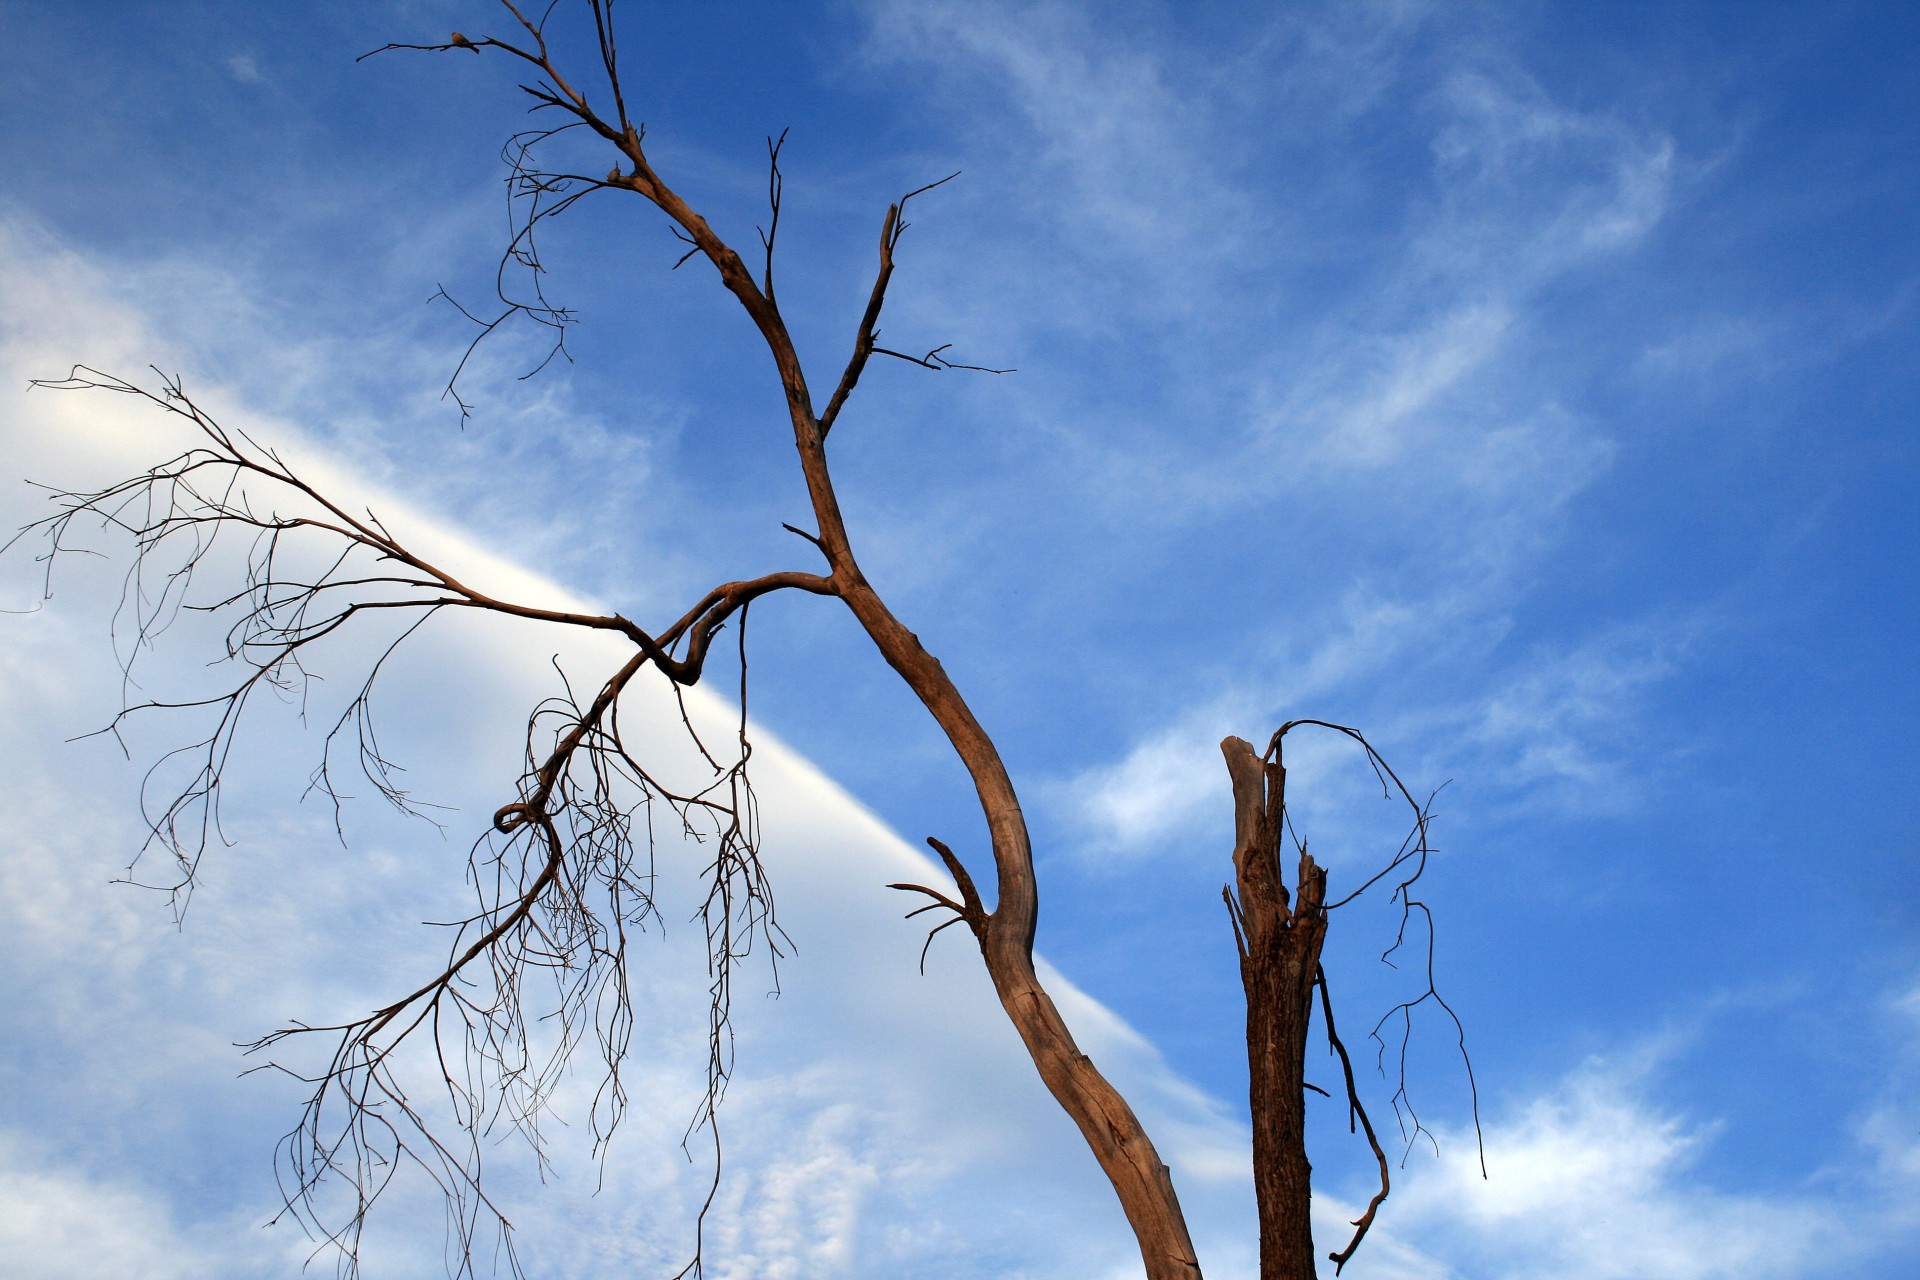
1527,385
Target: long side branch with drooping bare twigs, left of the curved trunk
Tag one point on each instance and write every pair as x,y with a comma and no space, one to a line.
562,880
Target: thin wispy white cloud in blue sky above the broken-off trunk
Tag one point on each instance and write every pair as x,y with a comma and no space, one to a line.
1426,427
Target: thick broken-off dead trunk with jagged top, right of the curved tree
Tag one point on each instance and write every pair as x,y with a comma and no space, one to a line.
1280,959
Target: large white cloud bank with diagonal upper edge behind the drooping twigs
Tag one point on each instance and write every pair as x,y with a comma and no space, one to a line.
867,1097
